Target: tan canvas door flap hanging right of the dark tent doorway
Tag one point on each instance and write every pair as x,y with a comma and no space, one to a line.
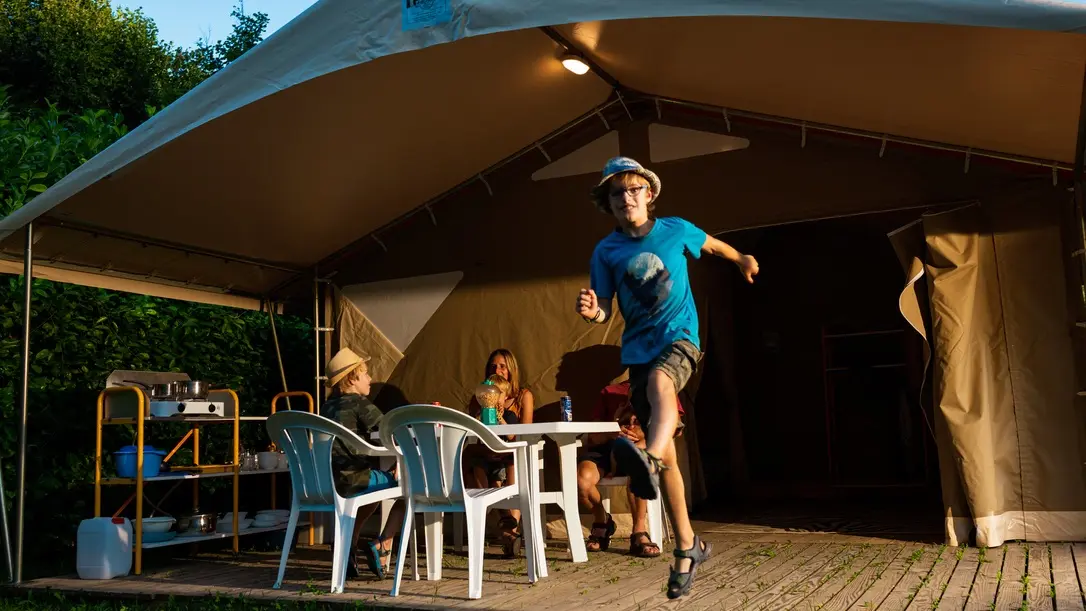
986,290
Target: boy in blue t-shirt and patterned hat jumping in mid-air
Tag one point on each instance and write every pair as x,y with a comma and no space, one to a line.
645,263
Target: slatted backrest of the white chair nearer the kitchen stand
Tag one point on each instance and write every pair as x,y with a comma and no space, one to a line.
308,439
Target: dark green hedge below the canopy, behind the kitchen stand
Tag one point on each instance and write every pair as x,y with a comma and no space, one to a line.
80,336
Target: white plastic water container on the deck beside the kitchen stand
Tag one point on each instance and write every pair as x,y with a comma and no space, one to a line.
105,549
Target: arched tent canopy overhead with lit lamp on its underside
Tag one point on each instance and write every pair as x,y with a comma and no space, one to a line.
344,122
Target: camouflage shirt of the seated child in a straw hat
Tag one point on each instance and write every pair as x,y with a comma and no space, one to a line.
361,416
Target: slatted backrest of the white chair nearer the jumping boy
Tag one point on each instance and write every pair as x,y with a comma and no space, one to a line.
432,440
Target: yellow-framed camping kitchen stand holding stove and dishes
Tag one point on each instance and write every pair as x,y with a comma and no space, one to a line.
194,473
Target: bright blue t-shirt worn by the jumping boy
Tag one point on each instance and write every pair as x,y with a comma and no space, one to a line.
650,276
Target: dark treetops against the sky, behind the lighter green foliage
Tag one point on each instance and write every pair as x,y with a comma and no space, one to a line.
86,55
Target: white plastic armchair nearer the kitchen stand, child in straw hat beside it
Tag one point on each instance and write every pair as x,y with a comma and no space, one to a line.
307,439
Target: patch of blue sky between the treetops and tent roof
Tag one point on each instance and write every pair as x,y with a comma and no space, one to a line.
184,22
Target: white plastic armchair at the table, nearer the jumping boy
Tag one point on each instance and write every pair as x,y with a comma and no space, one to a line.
431,441
